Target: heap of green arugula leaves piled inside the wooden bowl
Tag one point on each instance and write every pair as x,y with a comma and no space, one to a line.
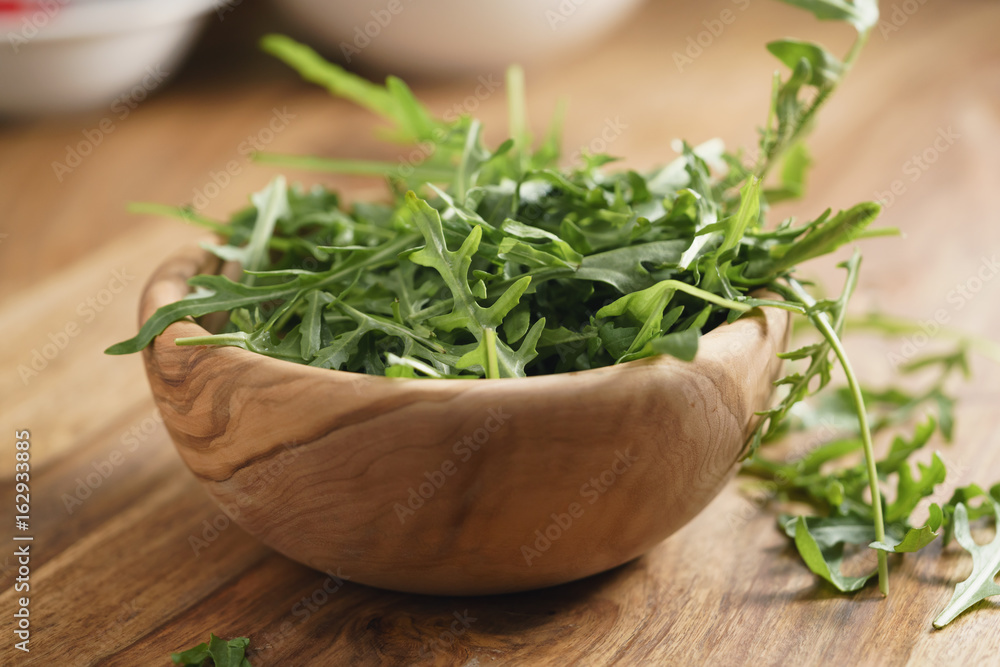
501,263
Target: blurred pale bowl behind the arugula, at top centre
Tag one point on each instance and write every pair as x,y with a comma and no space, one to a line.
450,36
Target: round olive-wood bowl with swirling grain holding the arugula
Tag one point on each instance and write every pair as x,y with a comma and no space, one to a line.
459,487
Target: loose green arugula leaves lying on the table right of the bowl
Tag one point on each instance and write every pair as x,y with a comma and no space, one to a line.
824,479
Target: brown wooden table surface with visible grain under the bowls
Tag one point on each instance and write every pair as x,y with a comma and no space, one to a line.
125,566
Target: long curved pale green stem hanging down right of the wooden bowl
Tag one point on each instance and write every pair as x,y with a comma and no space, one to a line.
822,322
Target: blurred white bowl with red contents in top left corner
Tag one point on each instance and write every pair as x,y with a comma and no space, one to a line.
63,55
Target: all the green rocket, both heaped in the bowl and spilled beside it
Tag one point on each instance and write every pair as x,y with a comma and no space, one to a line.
498,262
